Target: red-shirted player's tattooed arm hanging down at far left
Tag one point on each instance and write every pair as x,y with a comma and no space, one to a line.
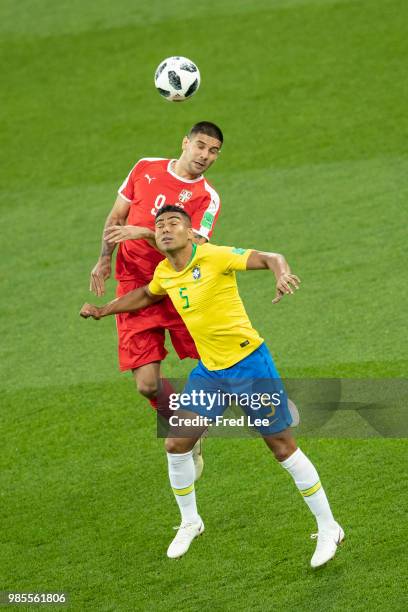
102,269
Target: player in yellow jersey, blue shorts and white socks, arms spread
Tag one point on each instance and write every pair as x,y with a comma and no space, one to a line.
200,281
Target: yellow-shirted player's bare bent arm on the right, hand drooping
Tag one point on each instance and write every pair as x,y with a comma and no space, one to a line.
286,282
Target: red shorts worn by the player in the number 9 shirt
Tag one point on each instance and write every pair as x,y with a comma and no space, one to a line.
141,335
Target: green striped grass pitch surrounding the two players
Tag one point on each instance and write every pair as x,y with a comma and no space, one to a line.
311,95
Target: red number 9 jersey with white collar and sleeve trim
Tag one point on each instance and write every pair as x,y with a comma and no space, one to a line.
150,185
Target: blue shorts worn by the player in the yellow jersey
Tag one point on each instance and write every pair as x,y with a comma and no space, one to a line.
253,383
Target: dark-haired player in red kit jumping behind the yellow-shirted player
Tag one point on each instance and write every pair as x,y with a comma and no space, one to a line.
151,184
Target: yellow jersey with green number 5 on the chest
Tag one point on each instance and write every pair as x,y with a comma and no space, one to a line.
205,294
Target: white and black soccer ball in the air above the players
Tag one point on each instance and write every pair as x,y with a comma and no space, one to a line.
177,78
